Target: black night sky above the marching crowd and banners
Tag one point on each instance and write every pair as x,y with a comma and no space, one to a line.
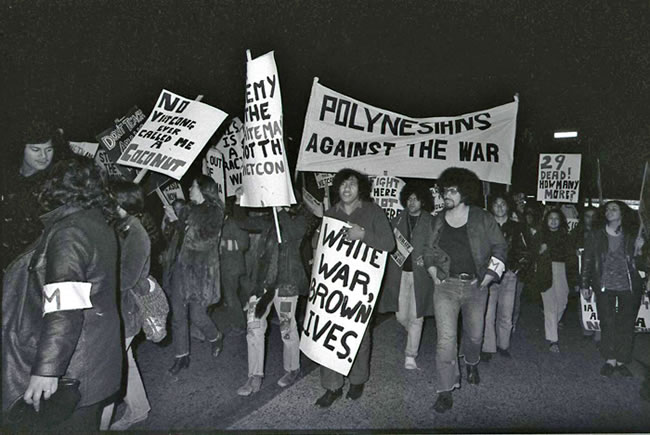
580,64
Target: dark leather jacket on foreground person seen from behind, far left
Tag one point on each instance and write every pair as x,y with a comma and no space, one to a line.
77,246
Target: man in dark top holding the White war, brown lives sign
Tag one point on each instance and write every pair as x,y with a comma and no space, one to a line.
367,222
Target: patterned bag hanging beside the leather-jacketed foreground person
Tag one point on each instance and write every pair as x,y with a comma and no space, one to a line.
154,309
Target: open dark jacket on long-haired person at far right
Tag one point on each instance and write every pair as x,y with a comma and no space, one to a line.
596,246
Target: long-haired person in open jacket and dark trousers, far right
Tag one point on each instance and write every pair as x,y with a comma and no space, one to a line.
609,270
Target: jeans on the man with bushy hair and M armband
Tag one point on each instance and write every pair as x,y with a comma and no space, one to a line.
451,297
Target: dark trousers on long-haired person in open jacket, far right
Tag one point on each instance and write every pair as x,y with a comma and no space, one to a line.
617,324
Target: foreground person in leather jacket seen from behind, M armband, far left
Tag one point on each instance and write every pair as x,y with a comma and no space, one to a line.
61,325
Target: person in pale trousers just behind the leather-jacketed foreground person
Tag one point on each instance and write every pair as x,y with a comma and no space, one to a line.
135,257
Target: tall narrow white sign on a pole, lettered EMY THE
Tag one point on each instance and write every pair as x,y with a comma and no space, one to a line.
265,175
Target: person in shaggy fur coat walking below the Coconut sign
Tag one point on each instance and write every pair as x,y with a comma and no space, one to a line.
195,280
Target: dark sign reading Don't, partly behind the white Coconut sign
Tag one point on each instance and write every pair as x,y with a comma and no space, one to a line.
115,139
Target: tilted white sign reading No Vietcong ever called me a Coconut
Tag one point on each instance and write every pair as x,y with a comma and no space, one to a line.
173,135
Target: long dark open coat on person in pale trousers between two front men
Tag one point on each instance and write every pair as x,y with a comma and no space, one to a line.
423,284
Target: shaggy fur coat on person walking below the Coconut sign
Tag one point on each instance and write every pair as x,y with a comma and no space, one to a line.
196,273
